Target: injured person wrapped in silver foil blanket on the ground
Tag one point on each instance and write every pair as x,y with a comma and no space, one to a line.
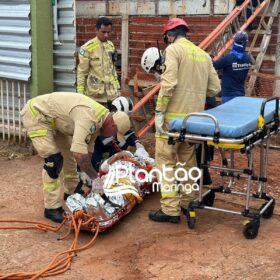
122,186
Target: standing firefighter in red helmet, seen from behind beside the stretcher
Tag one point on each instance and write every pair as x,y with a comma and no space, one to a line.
188,77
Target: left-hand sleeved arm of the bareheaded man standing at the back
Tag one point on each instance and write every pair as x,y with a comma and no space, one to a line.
82,70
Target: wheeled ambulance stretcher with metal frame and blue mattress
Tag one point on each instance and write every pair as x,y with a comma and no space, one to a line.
240,124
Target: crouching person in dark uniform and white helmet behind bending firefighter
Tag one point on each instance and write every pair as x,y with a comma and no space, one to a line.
110,145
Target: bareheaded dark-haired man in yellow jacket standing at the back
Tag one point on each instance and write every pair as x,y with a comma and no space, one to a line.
96,73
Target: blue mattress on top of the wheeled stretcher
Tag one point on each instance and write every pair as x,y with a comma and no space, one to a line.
236,118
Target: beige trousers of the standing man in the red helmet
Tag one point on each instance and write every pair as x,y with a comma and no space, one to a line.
175,161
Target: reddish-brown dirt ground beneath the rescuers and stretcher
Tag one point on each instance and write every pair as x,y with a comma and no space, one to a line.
137,248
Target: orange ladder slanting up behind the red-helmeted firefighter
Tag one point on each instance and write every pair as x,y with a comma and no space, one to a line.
216,43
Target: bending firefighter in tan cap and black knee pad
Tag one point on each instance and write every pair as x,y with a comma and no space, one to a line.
63,127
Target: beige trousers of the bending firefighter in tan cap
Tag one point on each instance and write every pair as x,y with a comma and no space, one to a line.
47,141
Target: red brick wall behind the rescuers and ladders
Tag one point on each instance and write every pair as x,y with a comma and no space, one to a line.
145,31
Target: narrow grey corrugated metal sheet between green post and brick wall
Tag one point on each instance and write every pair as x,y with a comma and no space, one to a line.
64,49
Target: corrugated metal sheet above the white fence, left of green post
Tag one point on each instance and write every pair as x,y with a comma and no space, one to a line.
15,40
